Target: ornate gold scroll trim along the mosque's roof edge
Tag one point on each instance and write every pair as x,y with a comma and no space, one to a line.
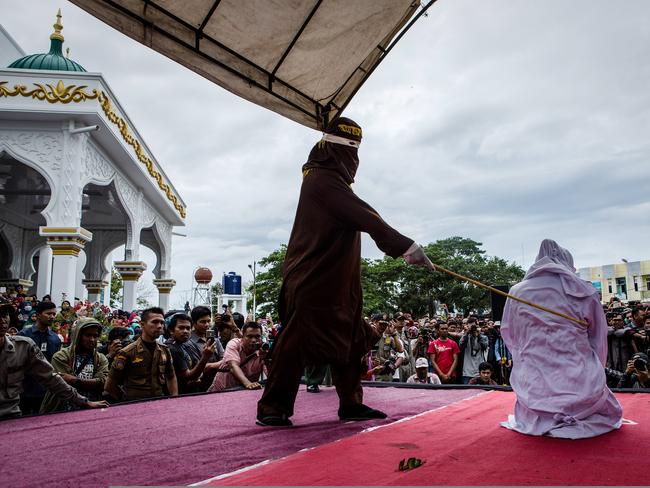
72,93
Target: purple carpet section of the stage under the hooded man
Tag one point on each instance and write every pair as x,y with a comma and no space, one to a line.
182,440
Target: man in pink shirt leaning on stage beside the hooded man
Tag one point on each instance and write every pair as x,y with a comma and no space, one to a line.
243,361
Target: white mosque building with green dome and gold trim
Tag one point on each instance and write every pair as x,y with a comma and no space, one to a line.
77,181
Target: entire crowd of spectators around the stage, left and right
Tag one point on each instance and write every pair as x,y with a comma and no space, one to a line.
85,355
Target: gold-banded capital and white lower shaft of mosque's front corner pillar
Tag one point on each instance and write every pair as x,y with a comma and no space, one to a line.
66,243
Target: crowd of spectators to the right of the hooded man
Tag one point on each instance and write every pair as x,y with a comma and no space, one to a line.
450,349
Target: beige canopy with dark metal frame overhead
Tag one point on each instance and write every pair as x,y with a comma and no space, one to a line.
304,59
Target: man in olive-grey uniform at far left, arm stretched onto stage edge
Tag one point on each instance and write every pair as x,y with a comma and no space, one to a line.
20,356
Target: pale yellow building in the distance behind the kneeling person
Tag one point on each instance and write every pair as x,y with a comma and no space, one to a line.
627,281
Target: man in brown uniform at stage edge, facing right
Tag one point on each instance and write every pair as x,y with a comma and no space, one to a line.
144,368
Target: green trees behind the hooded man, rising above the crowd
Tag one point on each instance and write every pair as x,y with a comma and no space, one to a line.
390,285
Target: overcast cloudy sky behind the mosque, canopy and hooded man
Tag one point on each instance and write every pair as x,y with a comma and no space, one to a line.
505,122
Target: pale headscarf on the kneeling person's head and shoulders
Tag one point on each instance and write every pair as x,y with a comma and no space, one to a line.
554,259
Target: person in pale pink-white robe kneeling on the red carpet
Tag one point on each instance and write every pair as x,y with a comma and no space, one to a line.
558,365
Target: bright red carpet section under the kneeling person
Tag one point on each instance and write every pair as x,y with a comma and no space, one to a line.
463,444
